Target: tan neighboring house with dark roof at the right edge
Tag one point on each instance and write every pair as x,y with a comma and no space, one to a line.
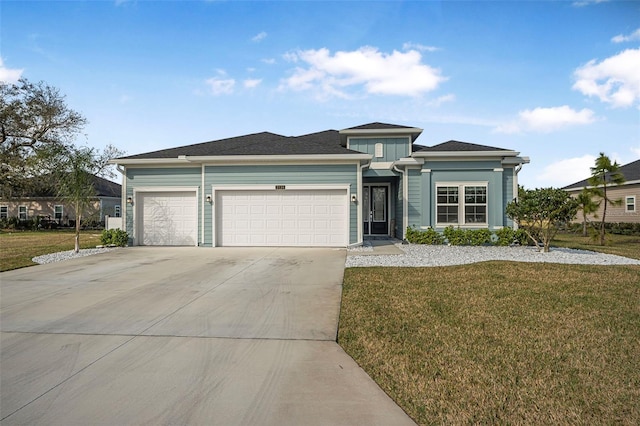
628,193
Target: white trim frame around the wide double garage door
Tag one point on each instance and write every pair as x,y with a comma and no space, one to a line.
293,187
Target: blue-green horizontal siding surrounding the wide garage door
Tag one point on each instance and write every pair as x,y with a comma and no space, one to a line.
316,174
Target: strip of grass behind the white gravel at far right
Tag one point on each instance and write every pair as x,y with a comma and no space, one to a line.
622,245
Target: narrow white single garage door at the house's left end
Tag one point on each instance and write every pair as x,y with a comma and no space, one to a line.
168,218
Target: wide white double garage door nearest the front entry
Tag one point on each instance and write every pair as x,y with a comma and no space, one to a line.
282,218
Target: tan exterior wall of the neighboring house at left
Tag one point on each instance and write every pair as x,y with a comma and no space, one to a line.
44,207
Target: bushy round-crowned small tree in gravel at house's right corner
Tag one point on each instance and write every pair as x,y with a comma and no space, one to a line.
539,212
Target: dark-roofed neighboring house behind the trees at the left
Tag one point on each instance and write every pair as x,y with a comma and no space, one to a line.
45,204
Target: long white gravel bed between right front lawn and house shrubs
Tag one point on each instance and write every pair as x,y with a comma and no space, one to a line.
427,255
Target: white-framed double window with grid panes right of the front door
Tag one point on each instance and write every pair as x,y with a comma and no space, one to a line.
461,203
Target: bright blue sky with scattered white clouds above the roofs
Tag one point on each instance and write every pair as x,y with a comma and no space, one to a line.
557,81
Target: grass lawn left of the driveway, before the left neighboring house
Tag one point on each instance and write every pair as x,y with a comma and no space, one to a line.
17,248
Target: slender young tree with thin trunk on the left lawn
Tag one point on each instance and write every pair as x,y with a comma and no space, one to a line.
77,171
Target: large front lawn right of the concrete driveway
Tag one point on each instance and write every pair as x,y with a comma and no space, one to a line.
499,342
